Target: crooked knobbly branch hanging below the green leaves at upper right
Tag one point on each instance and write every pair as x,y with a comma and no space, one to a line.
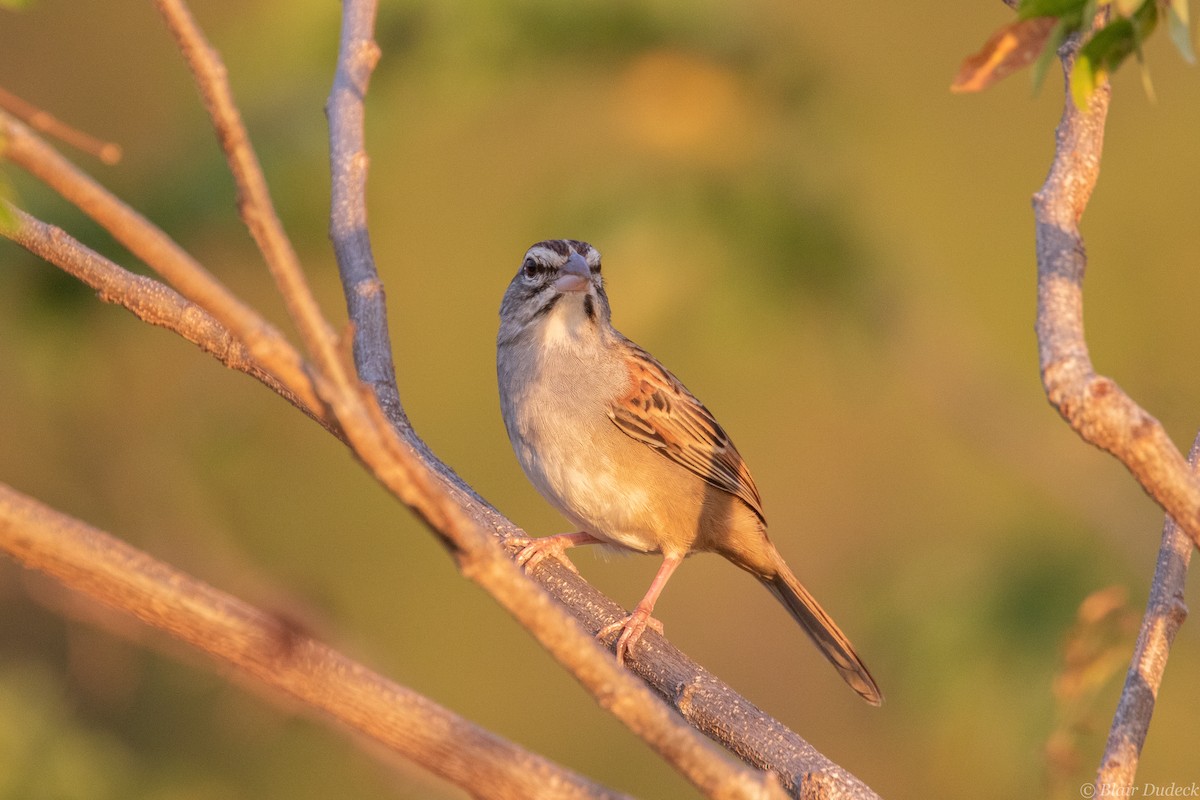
1095,406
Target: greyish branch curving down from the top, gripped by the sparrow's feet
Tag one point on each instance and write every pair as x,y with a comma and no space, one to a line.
705,702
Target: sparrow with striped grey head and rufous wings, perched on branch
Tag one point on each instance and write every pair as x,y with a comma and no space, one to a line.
620,447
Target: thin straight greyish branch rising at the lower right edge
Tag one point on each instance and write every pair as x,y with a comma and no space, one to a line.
1166,612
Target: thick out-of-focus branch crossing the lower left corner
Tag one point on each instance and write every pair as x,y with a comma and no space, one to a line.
279,654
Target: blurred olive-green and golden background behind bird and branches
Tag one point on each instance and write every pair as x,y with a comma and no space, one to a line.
796,215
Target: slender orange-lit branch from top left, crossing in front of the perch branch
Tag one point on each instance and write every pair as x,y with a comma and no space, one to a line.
374,441
